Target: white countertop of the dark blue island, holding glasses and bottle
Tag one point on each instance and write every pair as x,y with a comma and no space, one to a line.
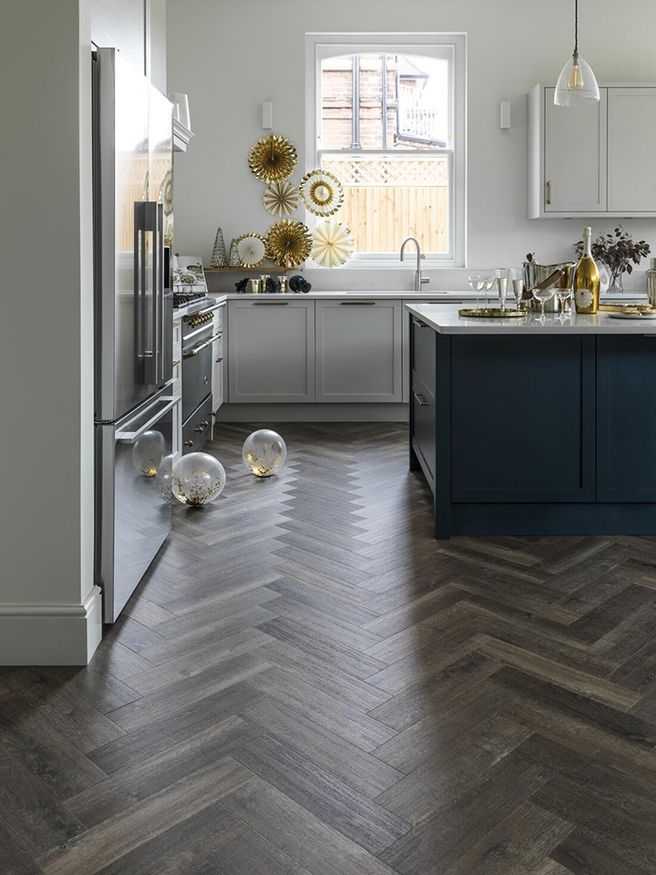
445,320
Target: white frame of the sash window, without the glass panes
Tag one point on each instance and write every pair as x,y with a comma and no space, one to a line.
320,46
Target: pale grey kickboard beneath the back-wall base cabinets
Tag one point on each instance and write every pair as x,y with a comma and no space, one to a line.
313,413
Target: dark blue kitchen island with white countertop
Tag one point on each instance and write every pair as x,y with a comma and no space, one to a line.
523,427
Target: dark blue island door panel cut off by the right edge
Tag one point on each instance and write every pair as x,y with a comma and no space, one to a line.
626,418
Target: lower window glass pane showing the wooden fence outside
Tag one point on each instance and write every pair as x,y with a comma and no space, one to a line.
390,197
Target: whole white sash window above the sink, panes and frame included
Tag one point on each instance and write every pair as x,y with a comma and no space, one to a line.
388,119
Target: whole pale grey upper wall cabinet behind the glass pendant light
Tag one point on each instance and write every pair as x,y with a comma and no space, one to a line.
594,160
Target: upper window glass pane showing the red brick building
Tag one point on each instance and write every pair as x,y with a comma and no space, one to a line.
374,101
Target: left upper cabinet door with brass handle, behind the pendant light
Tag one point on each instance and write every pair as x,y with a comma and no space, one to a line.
575,156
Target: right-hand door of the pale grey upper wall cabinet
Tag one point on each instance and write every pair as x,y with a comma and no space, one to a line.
631,139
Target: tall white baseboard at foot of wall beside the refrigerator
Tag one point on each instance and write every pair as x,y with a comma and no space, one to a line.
51,634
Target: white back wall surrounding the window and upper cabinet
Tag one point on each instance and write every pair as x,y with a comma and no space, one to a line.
230,56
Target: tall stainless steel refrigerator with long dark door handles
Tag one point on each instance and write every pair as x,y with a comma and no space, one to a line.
133,311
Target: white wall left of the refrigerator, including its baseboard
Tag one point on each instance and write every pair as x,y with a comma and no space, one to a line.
49,607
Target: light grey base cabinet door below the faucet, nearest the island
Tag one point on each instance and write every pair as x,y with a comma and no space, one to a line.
359,351
